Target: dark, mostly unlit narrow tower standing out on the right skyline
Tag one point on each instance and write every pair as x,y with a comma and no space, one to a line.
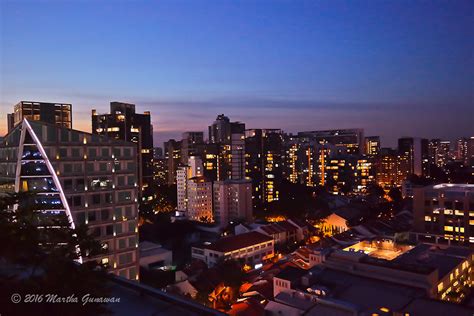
416,150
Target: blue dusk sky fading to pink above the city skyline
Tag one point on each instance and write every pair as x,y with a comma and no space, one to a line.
394,68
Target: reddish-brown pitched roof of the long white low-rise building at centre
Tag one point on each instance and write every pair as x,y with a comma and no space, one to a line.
238,242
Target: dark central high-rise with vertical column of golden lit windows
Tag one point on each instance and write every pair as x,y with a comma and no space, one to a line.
263,149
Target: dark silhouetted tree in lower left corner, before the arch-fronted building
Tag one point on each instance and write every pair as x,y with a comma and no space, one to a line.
41,261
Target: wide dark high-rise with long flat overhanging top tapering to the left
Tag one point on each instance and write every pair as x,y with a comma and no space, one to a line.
346,141
